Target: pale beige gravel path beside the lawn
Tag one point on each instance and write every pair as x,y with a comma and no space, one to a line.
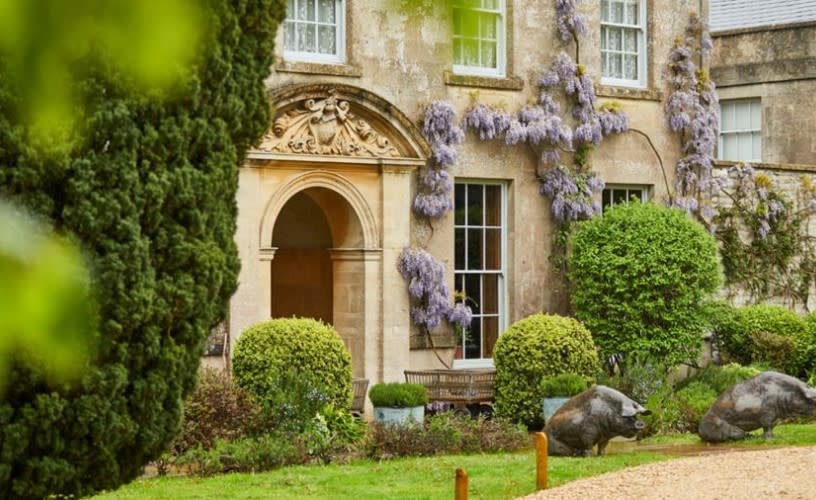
788,473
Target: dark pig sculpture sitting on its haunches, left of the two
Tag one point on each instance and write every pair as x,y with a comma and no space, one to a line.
593,417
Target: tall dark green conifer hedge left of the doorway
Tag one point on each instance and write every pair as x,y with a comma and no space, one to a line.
148,190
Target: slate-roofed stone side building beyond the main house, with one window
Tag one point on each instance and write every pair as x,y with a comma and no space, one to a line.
764,65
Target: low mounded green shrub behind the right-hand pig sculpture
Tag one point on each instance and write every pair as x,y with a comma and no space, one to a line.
767,334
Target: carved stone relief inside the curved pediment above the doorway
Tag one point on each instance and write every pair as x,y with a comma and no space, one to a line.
325,127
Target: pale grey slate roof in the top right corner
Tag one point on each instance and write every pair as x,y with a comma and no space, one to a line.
735,14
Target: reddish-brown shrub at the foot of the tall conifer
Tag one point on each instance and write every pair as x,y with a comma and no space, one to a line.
217,410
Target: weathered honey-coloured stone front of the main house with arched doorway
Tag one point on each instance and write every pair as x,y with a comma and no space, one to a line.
325,200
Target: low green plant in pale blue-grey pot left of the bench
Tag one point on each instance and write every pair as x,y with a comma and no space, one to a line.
396,403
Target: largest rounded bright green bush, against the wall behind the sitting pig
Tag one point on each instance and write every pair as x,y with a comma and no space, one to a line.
640,275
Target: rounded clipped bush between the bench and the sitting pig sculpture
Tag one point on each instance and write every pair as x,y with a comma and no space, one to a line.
534,347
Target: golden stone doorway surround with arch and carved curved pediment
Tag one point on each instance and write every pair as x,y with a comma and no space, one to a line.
362,149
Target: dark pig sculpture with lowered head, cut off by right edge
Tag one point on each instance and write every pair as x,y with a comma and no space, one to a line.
757,402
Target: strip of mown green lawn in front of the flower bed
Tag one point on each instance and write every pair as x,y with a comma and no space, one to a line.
491,476
